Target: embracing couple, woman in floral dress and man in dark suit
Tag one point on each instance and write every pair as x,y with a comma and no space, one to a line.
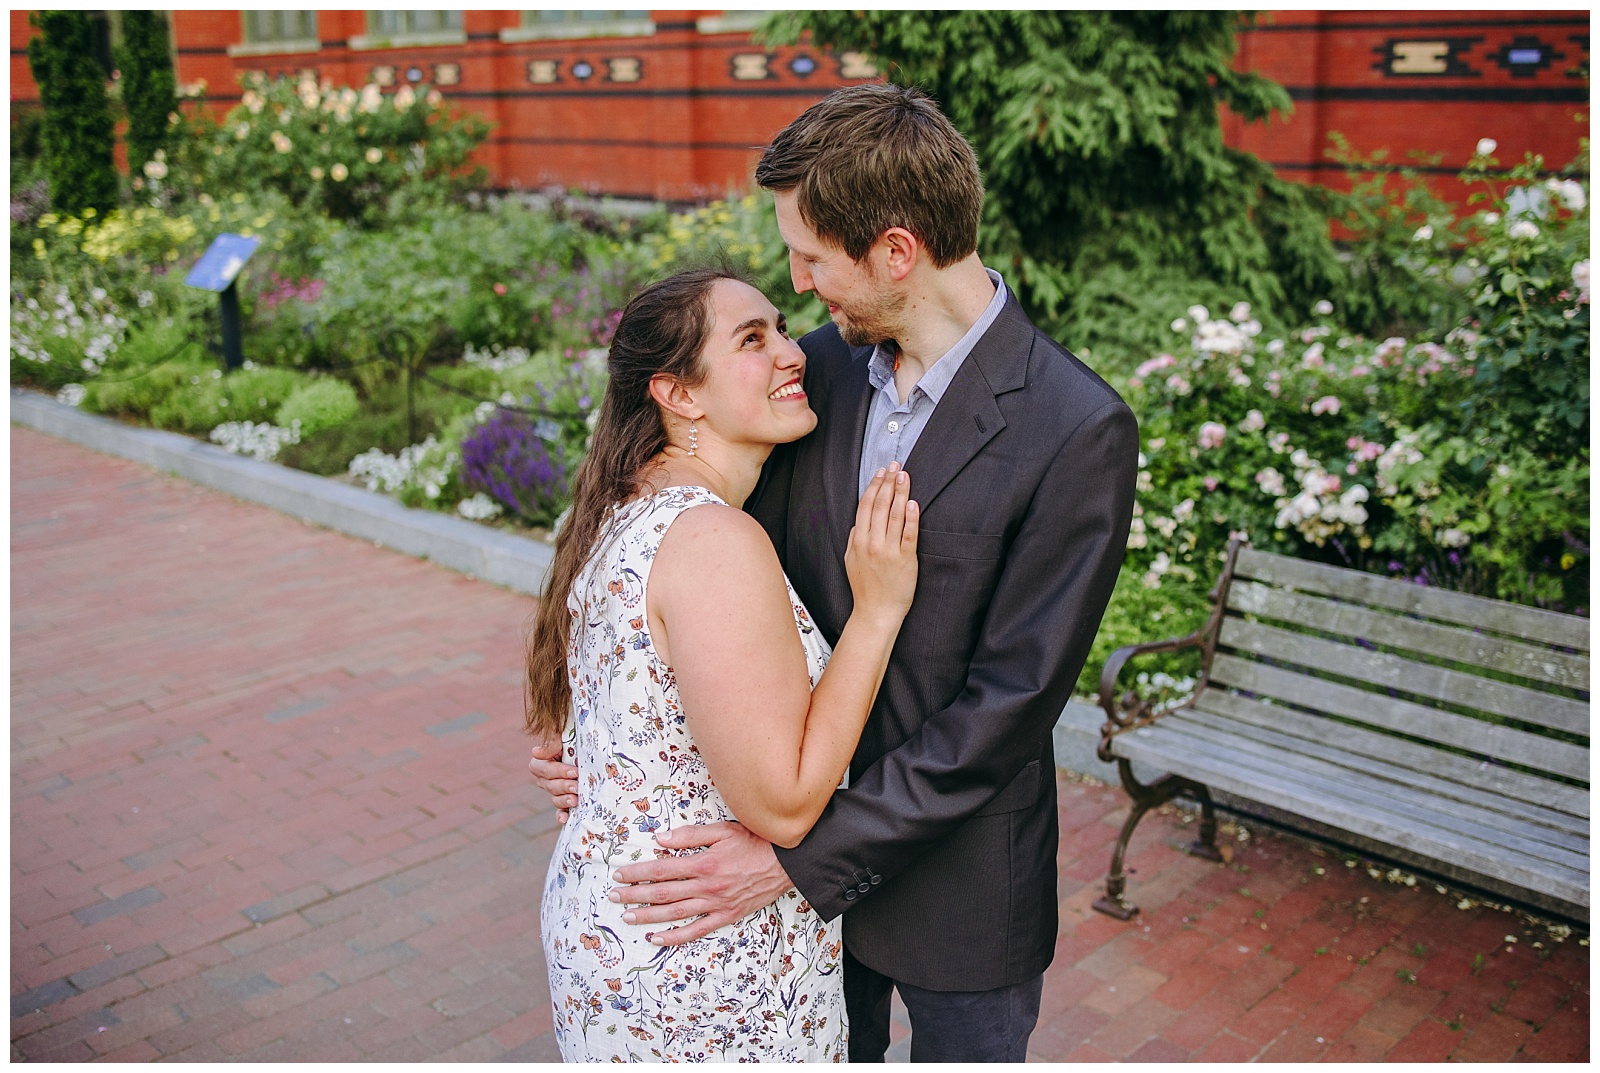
810,624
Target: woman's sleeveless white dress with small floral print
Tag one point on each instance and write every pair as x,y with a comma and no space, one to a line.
767,987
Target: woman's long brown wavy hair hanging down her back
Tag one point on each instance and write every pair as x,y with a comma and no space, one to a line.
663,330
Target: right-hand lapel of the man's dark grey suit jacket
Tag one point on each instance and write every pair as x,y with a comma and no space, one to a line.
967,417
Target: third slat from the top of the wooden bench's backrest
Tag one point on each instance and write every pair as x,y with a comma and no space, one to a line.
1409,676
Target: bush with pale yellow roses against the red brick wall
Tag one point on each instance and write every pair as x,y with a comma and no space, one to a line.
340,151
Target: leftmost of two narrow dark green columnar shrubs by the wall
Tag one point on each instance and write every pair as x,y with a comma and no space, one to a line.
78,130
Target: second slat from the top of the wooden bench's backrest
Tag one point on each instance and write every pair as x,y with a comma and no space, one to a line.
1382,628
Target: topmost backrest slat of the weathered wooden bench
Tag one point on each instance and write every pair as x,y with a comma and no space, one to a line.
1398,596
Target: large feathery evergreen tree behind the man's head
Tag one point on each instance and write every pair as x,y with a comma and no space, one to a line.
1102,150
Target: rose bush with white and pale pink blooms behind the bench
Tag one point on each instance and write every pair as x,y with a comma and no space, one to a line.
1452,457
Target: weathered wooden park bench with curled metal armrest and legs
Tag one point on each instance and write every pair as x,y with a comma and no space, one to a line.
1441,732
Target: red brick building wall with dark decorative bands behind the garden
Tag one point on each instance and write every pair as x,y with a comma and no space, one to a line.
681,113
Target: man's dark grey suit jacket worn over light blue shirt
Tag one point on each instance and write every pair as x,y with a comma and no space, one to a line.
942,855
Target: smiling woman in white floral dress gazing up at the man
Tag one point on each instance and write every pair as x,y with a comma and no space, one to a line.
690,684
